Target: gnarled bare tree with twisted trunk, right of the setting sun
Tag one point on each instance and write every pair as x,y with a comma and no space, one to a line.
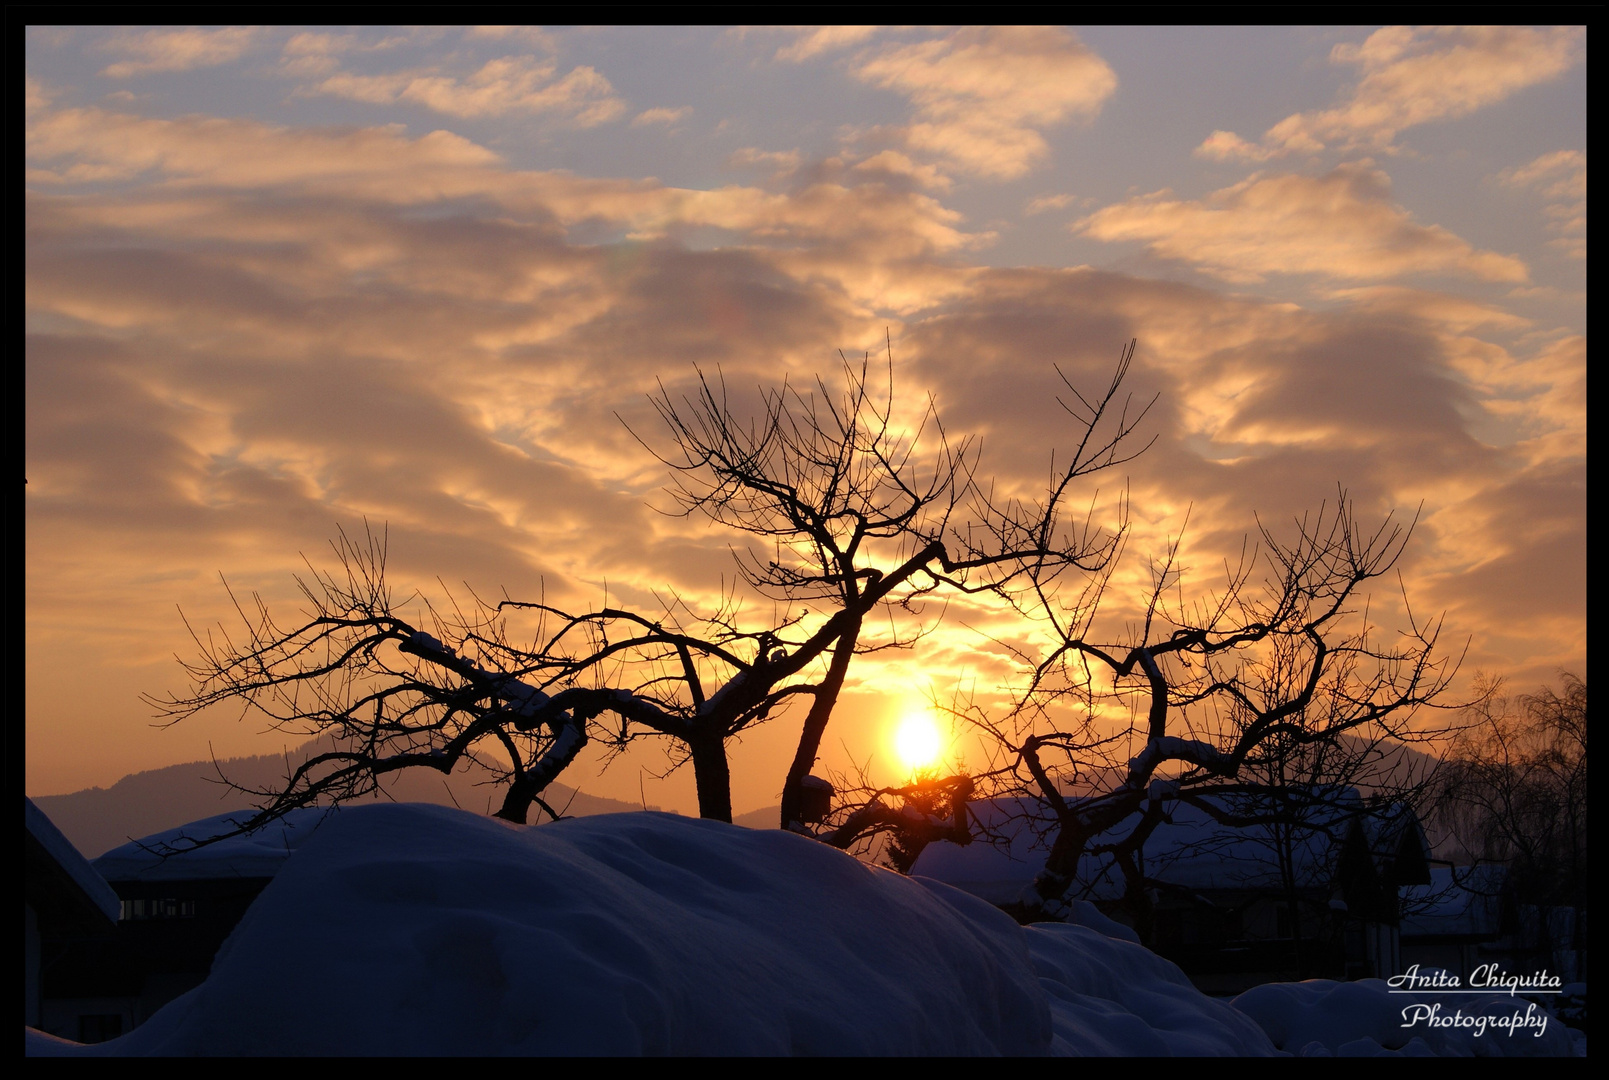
1237,695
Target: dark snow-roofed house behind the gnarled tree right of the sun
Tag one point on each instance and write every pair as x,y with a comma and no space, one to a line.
1311,894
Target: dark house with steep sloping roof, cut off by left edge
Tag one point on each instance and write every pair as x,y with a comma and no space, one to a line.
65,901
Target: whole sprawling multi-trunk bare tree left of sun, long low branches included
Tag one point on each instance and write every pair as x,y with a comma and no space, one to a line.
860,514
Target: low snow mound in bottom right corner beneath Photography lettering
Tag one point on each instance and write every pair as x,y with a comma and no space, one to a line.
1365,1020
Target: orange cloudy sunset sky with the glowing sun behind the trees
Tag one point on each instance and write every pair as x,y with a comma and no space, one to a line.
286,281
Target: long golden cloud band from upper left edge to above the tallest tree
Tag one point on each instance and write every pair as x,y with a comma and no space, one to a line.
876,228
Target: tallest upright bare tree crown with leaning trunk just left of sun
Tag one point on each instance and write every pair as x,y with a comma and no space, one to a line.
857,526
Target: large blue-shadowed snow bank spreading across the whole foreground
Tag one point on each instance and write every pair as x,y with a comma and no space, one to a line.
413,930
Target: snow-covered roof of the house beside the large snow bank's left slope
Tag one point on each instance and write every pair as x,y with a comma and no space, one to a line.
255,855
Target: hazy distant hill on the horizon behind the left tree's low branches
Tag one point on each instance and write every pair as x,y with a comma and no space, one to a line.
141,804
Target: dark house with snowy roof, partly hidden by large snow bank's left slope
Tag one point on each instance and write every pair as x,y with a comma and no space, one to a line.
168,920
